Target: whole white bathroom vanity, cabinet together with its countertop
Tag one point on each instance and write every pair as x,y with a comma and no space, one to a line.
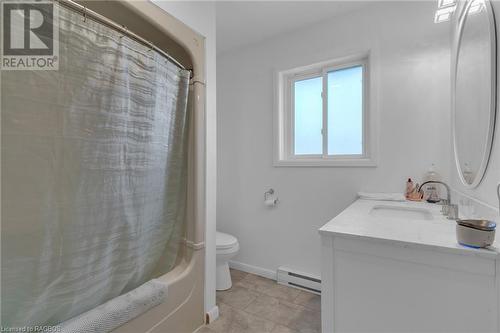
381,276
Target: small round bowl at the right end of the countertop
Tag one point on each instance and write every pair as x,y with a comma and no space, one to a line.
475,233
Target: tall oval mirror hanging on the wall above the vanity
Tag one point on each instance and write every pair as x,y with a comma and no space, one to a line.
473,88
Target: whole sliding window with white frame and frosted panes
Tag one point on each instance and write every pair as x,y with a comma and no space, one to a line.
322,115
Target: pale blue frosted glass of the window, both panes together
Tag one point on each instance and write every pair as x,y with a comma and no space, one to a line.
344,113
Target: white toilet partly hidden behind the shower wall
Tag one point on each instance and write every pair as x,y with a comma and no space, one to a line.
227,248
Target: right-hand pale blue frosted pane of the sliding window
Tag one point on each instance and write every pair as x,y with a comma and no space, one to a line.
345,111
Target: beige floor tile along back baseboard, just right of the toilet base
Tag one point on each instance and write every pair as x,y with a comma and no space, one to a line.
269,287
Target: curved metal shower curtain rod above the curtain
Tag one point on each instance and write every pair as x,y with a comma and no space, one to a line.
104,20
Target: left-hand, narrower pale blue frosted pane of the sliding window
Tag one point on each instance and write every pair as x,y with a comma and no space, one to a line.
308,116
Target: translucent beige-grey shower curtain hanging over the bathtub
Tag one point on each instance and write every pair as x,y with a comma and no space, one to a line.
93,174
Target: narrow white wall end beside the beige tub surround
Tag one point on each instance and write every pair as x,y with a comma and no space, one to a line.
200,16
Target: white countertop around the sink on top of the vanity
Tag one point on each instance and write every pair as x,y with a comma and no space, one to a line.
439,233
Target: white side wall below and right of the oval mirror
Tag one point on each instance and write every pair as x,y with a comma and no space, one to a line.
485,193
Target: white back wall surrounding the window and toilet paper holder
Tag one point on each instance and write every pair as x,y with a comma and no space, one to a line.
411,71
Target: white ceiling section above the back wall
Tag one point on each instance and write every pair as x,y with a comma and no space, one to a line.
241,23
